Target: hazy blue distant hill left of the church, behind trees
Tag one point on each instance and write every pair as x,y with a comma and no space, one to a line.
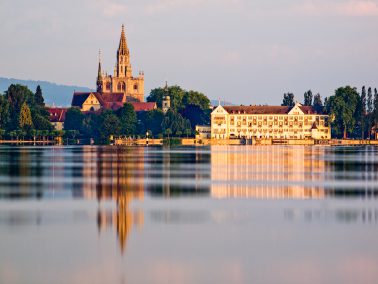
60,95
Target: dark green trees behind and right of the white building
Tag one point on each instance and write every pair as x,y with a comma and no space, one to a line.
353,114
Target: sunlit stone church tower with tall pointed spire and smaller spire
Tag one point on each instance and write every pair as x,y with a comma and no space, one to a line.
122,80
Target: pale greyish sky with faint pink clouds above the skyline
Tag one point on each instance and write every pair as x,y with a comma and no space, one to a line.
243,51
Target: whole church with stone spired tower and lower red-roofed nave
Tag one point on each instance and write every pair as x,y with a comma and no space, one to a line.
112,91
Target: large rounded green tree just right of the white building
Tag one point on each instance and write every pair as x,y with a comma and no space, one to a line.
342,107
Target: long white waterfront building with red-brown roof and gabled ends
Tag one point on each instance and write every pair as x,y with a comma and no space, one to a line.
269,122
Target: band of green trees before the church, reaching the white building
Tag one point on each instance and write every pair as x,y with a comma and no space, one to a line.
188,108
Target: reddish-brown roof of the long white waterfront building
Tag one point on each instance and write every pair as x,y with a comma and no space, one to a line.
265,109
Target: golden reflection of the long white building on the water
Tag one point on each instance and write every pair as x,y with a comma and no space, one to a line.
266,172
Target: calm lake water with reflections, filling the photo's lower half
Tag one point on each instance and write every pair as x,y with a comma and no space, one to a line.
237,214
